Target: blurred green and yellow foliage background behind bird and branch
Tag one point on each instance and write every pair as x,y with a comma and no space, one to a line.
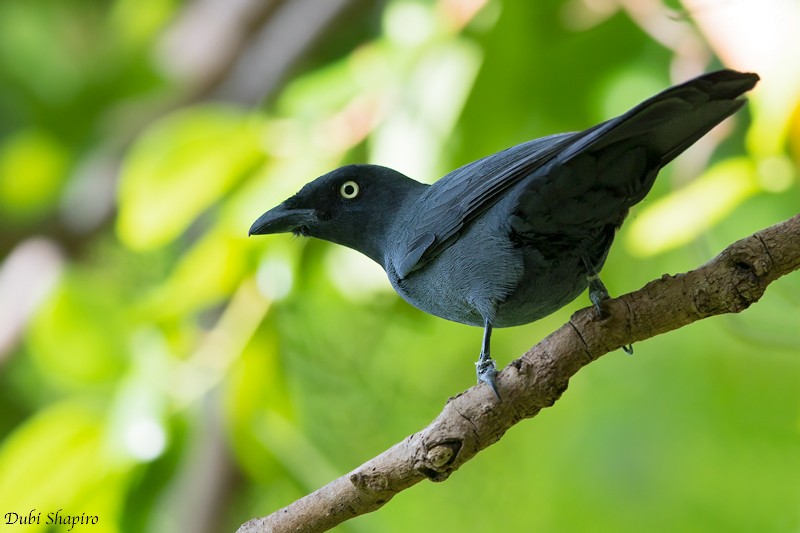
177,376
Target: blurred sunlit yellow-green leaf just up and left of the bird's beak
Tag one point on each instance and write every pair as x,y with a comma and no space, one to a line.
180,167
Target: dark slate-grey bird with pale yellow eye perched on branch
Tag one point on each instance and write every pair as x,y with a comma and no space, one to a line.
512,237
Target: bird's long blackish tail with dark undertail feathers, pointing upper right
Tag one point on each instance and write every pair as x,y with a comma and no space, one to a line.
603,171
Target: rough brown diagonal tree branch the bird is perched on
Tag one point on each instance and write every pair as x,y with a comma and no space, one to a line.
474,420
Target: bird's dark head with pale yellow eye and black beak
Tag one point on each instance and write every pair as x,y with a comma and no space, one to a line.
355,206
